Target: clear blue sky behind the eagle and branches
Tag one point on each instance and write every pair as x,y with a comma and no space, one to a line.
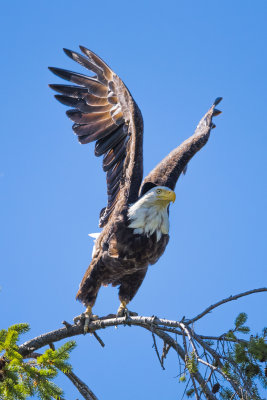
176,57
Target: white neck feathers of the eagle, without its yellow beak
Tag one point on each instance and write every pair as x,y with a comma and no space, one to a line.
147,216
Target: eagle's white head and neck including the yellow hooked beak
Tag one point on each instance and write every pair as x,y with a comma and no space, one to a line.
150,213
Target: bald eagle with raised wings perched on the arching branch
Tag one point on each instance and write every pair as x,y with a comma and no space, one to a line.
135,221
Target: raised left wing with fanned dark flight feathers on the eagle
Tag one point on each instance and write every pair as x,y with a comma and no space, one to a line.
104,111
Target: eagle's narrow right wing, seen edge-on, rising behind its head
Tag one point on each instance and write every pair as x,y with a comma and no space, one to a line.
167,172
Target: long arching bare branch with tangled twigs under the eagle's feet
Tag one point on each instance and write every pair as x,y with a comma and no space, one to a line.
212,360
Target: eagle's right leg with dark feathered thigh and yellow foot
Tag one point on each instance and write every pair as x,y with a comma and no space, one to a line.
128,288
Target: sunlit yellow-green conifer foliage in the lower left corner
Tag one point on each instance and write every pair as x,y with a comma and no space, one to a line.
22,378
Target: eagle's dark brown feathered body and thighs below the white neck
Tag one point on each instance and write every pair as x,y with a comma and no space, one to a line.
121,258
